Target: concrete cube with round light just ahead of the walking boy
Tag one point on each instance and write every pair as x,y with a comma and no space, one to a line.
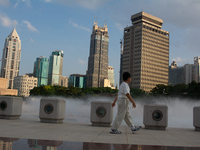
155,117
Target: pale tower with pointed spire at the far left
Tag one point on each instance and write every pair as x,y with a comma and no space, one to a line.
11,58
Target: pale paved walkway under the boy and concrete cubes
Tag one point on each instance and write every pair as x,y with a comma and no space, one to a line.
83,132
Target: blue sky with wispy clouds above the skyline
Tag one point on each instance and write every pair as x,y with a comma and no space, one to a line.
48,25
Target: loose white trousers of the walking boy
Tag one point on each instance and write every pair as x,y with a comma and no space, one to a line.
122,114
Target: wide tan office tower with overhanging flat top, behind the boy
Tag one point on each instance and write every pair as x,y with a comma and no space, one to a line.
146,51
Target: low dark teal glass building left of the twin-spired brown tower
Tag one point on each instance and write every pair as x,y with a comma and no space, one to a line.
77,80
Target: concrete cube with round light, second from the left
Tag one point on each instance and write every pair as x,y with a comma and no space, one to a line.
52,110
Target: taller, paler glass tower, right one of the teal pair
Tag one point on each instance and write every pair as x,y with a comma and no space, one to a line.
55,67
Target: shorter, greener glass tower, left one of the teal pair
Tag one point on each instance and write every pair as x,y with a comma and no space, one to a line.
41,67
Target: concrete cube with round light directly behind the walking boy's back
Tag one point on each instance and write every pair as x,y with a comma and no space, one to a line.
101,113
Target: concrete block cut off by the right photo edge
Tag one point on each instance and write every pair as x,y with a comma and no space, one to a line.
196,118
